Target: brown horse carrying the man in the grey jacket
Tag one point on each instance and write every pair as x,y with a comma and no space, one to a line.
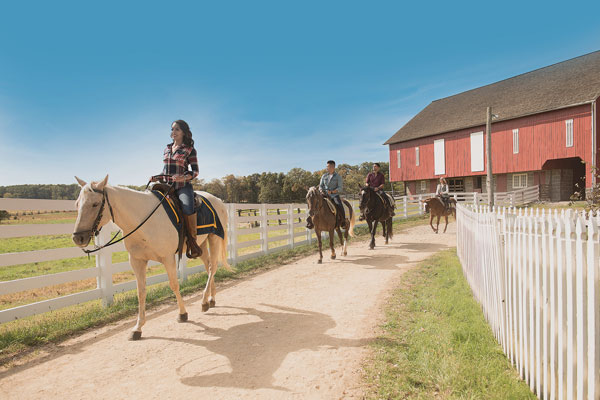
325,220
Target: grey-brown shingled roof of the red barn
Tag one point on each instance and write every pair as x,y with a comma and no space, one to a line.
561,85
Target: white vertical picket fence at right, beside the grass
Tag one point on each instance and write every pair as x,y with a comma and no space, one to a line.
537,274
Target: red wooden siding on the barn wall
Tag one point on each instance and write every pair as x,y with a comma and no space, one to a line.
541,138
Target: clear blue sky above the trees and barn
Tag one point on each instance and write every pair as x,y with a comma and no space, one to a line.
90,88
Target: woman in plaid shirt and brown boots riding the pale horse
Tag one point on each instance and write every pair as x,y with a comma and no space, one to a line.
180,156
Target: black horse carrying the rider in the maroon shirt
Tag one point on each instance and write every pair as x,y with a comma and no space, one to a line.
374,211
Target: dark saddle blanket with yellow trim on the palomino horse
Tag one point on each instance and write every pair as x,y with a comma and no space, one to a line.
207,219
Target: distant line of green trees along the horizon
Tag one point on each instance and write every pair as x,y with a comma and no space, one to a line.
267,187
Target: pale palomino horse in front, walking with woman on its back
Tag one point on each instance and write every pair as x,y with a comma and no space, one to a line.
156,239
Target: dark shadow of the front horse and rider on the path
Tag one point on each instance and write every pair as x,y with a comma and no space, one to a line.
252,352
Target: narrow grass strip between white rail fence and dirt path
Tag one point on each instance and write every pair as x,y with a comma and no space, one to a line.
22,336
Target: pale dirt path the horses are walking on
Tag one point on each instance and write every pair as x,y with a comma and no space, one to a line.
299,331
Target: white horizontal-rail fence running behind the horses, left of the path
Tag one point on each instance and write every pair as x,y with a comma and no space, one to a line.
254,230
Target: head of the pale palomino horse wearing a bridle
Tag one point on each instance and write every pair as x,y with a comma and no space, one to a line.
90,206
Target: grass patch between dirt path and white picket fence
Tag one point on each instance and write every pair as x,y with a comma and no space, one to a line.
435,342
